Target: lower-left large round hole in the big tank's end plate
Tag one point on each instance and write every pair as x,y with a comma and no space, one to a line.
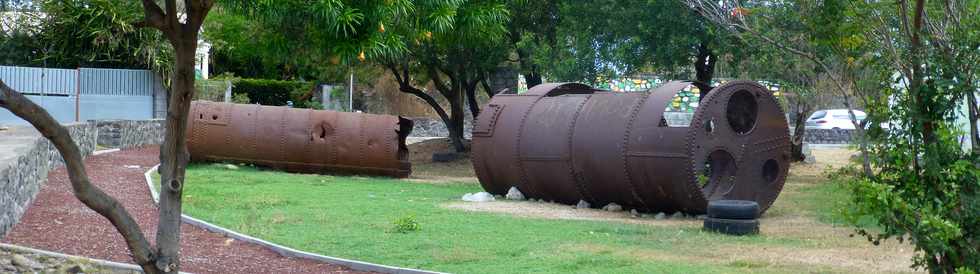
718,174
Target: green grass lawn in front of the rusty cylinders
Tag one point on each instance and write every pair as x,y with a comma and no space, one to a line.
354,217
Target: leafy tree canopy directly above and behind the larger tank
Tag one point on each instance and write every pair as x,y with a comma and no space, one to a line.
665,37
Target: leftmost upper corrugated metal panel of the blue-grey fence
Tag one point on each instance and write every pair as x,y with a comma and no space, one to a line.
40,80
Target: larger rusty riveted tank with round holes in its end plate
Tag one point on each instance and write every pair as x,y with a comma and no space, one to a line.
570,142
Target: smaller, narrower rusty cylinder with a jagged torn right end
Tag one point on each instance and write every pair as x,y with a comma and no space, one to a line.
299,140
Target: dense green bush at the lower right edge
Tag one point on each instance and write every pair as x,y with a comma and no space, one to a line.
923,187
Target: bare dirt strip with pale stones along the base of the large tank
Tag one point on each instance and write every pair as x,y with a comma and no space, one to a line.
567,212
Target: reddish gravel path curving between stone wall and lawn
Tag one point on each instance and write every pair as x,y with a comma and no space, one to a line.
58,222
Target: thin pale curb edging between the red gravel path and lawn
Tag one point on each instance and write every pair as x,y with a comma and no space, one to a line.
282,250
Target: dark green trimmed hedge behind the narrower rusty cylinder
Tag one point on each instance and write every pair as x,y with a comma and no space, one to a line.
271,92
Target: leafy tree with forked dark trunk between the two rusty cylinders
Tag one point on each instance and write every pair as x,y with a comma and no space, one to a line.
453,44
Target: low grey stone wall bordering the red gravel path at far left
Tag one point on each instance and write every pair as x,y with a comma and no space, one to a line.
22,174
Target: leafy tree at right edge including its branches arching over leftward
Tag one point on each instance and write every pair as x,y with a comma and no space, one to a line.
917,182
